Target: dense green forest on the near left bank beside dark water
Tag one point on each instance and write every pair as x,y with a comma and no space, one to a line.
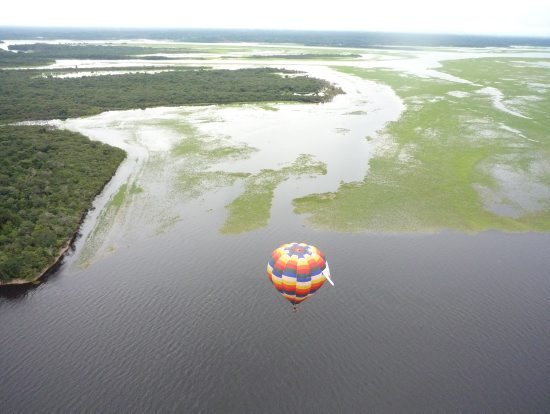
48,180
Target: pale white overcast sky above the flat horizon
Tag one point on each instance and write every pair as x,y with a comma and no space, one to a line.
501,17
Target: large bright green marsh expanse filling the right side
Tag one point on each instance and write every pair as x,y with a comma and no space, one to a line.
461,156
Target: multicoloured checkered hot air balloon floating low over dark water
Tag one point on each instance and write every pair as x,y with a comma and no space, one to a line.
297,270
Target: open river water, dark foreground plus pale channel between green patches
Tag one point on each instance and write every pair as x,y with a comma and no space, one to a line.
185,320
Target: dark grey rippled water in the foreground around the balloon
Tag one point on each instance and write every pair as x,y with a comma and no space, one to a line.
188,322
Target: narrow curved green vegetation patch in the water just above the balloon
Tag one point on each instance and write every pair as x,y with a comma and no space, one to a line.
251,210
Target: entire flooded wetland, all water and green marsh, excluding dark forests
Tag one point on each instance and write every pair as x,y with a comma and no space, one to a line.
426,183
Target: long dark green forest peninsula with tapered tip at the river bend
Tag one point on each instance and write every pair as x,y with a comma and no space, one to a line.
28,95
